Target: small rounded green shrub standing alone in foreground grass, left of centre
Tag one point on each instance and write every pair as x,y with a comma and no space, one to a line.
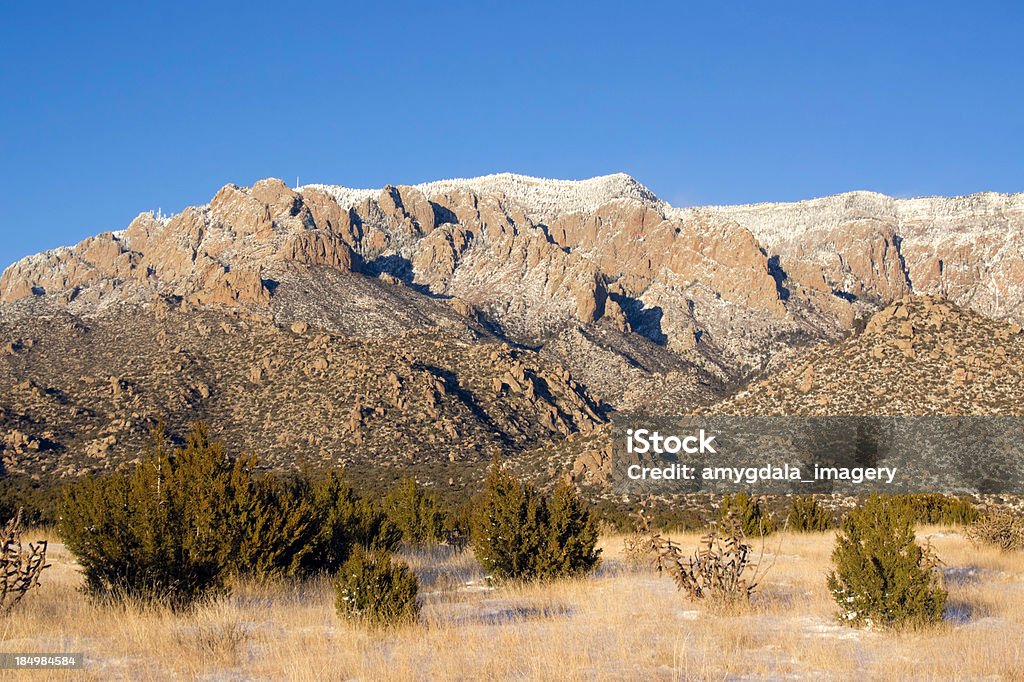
376,591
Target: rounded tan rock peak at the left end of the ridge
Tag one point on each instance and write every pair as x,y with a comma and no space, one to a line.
212,255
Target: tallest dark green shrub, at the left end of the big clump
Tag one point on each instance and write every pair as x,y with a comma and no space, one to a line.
157,533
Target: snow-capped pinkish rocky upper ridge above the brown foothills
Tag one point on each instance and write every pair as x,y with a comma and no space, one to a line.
723,290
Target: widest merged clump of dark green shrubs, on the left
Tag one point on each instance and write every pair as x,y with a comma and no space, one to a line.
184,520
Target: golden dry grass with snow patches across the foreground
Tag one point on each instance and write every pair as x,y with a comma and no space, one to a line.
626,623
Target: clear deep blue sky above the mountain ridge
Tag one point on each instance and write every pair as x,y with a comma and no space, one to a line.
108,111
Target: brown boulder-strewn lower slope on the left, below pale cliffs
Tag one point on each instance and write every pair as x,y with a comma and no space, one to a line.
82,395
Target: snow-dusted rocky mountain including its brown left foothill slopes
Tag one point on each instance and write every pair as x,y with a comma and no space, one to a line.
519,312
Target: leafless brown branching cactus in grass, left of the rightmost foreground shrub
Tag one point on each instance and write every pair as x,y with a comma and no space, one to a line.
723,571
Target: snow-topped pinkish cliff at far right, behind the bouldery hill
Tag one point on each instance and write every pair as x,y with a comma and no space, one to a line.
967,249
